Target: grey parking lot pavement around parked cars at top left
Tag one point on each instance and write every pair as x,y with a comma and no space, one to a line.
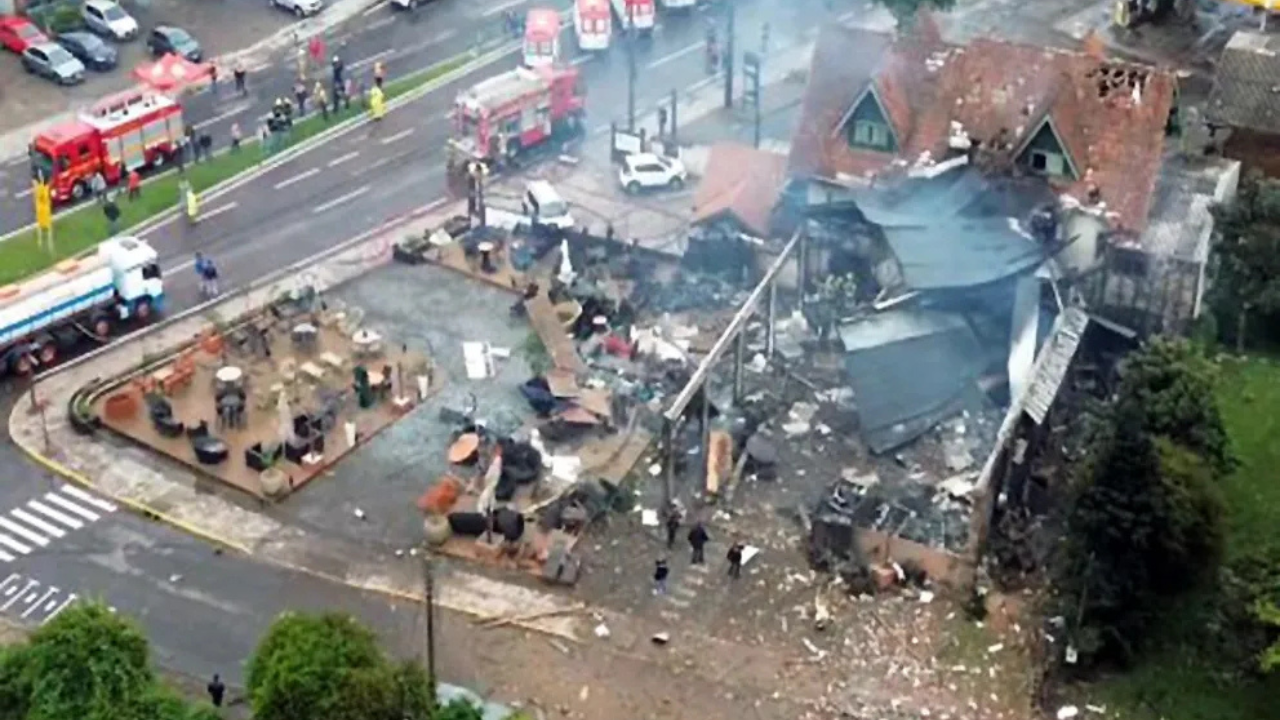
221,28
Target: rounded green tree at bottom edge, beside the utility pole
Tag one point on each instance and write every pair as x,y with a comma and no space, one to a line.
331,667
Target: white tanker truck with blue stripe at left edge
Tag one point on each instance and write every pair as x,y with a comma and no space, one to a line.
48,316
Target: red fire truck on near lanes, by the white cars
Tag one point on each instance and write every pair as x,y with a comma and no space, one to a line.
505,116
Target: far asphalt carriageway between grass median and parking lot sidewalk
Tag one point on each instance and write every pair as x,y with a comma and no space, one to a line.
403,42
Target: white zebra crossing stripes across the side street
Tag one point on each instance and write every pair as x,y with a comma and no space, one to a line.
49,518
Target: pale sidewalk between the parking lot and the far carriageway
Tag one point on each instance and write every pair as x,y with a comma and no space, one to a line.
13,144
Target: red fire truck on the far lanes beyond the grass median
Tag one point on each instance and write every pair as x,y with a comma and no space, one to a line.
130,131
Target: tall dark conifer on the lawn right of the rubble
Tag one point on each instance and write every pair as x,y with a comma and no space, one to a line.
1146,525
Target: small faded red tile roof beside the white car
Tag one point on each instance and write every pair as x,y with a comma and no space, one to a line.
740,183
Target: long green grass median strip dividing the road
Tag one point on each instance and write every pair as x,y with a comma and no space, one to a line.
81,230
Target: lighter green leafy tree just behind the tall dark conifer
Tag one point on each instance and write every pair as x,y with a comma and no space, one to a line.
1173,386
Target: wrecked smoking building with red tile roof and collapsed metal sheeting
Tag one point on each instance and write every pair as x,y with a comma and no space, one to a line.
1007,216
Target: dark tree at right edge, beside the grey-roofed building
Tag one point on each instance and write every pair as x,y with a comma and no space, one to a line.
1249,254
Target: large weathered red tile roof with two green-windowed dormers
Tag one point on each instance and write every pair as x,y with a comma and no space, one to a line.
1109,116
